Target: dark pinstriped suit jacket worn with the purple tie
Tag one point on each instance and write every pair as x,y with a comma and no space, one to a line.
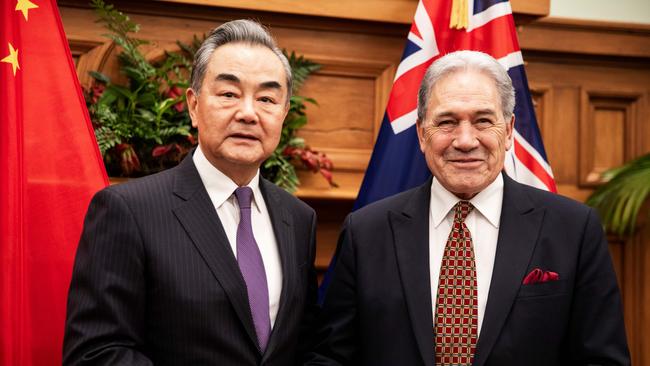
155,280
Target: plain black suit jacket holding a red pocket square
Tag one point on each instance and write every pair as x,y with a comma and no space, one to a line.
378,308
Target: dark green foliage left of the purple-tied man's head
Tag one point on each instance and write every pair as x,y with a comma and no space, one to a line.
132,121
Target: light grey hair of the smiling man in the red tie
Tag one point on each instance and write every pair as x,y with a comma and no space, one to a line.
464,61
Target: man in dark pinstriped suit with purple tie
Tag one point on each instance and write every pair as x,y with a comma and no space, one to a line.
206,263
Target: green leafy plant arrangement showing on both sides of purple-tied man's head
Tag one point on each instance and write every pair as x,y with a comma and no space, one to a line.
143,127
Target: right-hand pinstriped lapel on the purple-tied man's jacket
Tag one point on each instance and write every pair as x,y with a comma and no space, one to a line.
282,223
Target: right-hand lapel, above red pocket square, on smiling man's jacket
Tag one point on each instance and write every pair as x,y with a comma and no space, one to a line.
519,228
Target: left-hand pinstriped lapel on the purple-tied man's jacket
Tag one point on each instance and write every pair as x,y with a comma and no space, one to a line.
200,220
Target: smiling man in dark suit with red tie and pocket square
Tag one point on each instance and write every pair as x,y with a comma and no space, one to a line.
471,268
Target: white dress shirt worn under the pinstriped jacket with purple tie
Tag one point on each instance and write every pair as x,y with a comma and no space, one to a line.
221,190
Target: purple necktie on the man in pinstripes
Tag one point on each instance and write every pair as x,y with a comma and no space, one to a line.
252,268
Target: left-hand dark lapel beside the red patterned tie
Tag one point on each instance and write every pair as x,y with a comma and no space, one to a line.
411,238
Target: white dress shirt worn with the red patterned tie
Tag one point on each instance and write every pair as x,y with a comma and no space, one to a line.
483,225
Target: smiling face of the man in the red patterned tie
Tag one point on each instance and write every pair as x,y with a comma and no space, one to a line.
464,135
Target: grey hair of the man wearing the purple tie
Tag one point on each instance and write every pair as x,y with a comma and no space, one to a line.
237,31
